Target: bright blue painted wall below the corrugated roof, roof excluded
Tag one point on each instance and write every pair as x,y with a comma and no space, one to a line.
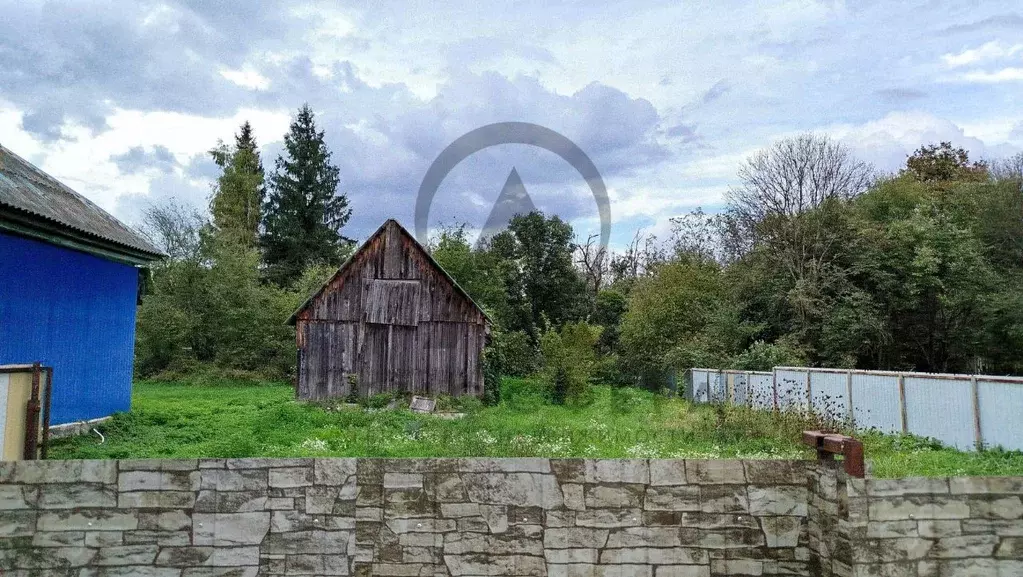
75,313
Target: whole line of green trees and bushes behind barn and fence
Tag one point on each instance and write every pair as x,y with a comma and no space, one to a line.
816,259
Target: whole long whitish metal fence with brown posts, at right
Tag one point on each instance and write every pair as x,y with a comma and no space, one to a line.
961,411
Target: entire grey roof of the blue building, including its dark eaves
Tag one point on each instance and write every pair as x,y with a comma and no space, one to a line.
34,204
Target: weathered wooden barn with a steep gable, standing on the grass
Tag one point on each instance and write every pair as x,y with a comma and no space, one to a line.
391,320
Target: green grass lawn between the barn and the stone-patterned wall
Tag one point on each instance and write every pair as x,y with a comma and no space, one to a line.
234,421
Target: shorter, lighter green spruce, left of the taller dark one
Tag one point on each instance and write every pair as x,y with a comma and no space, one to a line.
238,196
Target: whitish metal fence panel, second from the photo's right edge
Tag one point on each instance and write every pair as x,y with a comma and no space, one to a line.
942,409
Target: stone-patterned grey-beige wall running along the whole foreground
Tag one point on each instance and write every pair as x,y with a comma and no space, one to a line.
558,518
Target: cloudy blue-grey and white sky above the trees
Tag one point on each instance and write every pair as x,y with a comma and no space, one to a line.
121,100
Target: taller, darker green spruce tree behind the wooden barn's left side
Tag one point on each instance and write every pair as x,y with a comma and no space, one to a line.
303,214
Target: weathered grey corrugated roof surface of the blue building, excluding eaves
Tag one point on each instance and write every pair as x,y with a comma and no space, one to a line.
25,188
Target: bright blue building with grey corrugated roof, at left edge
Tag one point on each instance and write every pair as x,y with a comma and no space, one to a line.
69,288
